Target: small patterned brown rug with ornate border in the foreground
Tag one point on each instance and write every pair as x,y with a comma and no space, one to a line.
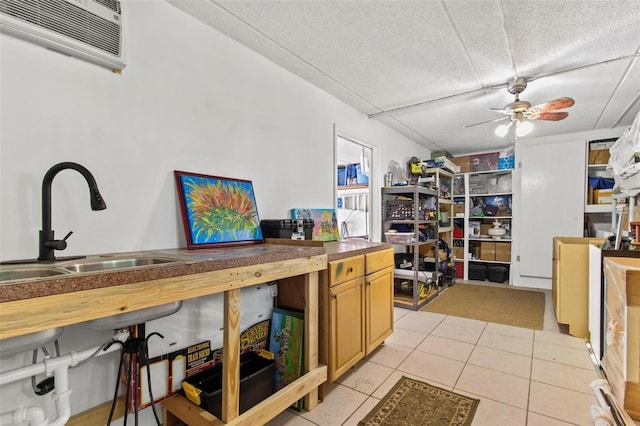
415,403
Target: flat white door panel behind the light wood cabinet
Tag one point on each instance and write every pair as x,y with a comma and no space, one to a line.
552,200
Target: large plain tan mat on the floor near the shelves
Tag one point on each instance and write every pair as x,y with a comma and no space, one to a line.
518,308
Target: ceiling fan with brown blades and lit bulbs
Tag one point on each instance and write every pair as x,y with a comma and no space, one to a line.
519,112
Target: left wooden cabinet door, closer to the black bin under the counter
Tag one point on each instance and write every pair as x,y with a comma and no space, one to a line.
346,325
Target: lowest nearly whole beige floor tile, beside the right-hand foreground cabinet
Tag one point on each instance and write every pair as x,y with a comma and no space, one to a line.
562,404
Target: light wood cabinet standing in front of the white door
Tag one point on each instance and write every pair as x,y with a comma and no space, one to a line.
570,282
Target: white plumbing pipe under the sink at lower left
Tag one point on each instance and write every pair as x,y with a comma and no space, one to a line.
59,367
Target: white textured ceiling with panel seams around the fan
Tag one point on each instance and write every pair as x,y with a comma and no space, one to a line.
429,68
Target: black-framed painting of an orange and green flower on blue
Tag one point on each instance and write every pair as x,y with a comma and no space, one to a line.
217,211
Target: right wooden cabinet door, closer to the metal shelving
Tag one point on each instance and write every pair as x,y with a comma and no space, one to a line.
379,308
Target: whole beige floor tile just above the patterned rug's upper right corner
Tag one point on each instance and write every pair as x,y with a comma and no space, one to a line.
494,385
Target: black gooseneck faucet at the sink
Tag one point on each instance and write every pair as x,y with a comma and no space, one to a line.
48,244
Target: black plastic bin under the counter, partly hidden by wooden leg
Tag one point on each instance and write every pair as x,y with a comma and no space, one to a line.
256,384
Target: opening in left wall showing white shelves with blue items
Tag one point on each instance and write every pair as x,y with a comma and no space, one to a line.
354,164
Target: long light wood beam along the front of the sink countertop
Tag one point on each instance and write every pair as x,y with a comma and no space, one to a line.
41,313
